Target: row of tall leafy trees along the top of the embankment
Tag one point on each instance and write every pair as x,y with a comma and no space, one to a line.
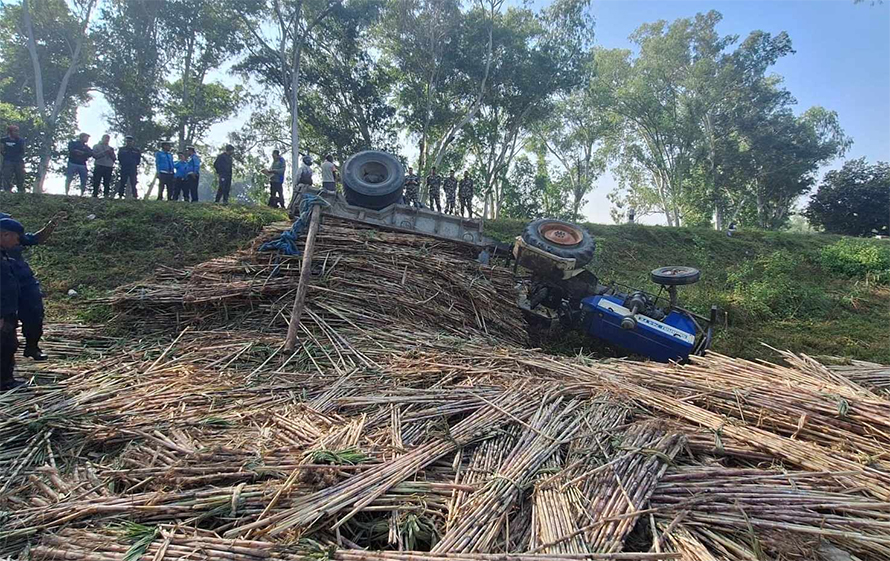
693,123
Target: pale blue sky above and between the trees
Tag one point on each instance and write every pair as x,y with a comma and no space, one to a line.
842,62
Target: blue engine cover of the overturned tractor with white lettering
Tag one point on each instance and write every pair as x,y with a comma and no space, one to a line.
670,339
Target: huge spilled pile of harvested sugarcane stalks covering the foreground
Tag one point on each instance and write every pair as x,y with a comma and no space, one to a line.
391,435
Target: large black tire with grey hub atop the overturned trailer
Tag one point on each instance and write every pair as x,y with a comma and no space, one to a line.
373,179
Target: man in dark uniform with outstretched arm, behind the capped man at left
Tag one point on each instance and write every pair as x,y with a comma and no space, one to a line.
30,305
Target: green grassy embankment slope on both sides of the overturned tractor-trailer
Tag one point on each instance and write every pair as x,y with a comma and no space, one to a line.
771,287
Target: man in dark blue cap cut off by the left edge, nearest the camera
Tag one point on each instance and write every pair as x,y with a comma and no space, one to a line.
10,231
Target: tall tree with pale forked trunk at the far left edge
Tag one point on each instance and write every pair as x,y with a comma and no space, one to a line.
46,43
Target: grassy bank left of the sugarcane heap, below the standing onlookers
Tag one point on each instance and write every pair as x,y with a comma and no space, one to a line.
125,242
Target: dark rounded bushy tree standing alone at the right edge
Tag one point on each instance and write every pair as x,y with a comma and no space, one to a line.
853,200
